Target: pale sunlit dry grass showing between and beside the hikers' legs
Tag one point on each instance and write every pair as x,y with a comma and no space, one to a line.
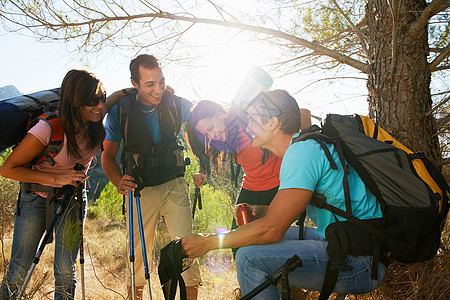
105,263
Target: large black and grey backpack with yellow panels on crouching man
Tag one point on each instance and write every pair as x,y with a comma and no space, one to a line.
411,191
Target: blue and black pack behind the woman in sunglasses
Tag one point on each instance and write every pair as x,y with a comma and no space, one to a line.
19,114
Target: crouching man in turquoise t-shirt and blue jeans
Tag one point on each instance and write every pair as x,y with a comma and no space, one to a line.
266,243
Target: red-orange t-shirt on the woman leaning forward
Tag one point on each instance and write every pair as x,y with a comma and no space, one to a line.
257,177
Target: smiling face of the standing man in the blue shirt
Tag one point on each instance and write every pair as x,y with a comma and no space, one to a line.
151,85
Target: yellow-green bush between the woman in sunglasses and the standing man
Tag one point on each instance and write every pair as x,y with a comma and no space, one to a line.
108,205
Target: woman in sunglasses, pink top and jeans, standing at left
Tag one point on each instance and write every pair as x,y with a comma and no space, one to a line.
81,111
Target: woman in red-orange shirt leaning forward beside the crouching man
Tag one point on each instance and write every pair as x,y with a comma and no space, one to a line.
223,130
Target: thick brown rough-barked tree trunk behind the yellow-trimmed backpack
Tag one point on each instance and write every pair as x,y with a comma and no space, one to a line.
399,79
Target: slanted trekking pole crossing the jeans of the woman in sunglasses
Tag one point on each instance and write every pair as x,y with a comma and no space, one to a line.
67,191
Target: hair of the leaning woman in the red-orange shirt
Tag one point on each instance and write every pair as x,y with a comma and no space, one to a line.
202,147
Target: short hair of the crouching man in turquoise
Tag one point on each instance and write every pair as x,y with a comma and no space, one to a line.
279,104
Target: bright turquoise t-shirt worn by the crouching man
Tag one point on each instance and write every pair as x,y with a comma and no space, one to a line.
305,166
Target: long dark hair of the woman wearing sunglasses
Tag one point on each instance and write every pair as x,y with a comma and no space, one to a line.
77,88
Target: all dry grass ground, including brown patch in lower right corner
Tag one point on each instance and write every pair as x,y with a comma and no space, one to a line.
106,261
